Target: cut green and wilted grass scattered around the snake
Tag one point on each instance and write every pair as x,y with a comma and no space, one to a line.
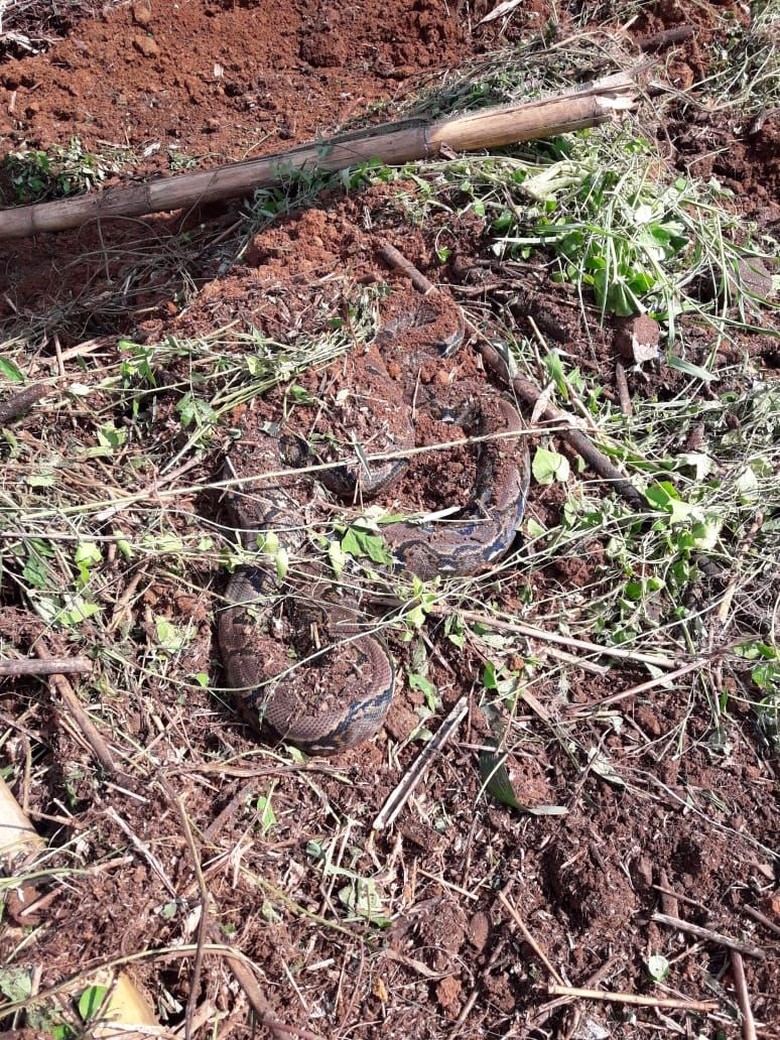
103,532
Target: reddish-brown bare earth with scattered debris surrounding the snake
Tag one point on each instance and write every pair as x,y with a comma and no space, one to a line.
685,831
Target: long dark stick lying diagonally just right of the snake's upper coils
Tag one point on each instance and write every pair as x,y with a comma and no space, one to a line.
528,393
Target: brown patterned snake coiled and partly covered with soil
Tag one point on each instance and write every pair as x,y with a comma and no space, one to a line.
351,682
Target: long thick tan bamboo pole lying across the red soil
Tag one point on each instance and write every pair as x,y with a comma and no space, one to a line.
392,143
